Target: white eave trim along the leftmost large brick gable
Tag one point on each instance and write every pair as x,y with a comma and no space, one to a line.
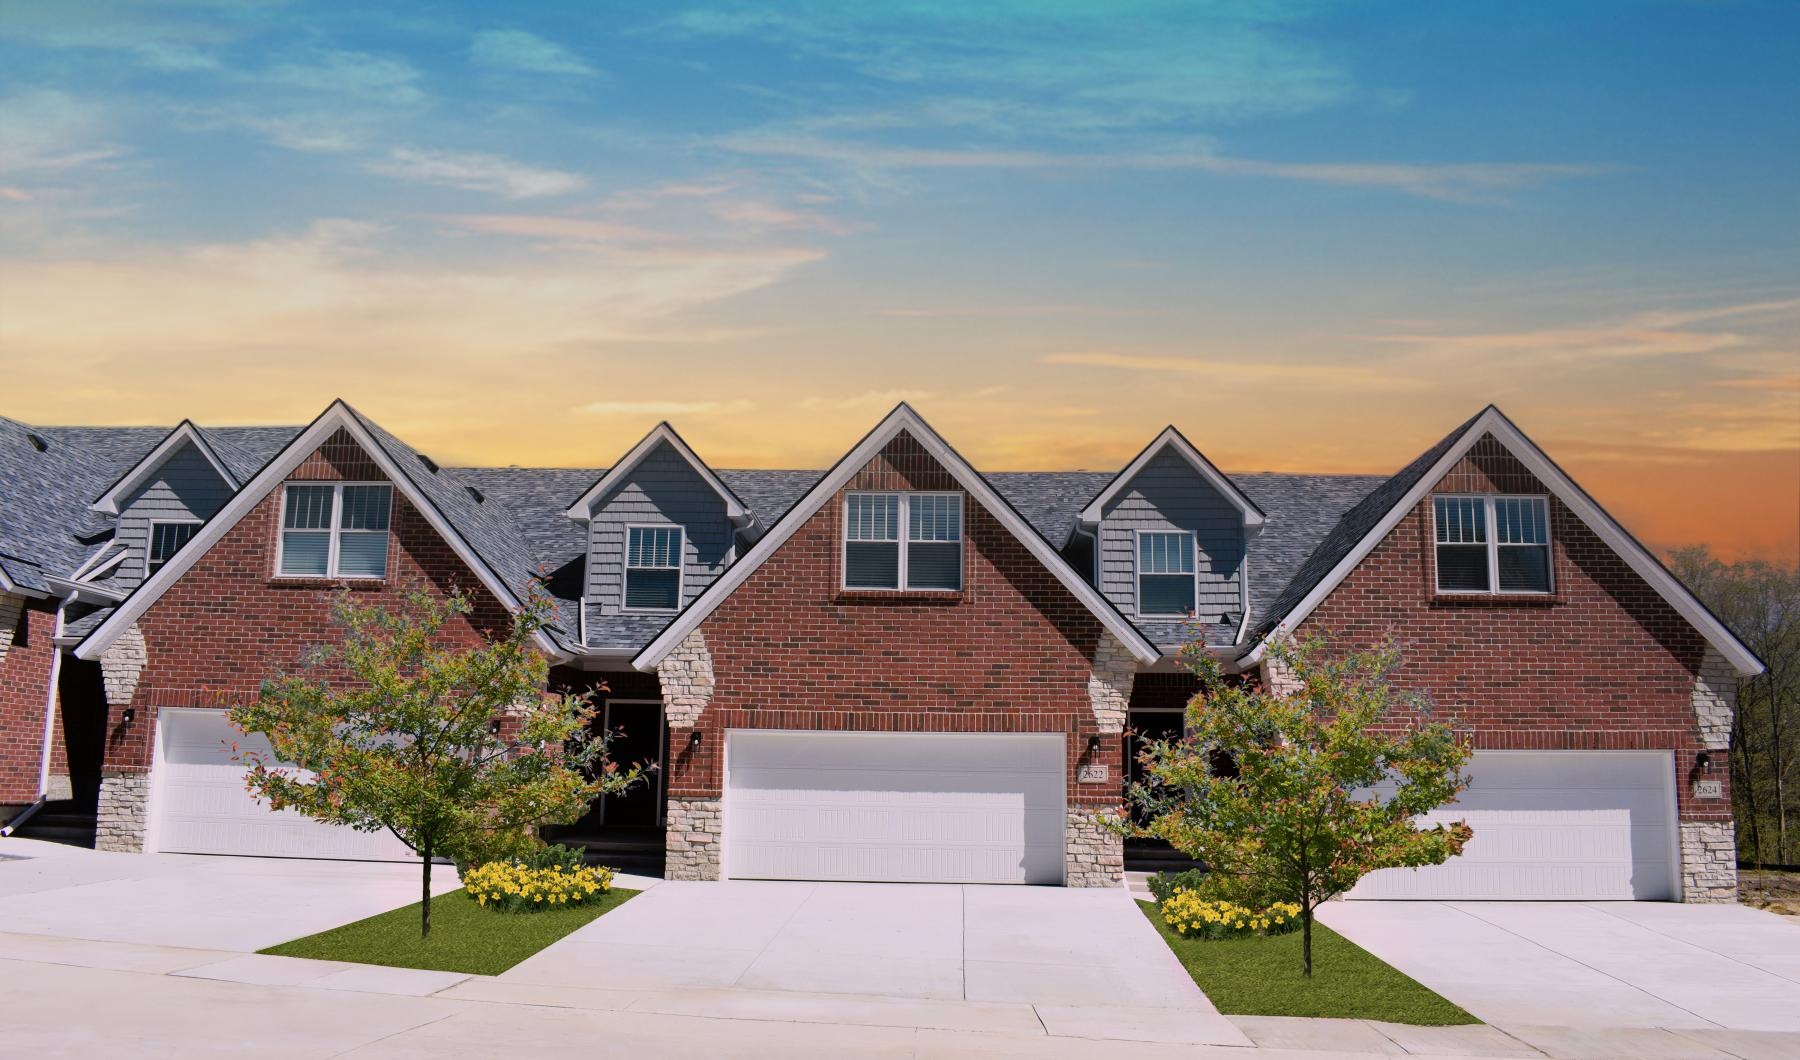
271,478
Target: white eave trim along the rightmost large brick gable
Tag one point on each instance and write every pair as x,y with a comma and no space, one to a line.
1574,498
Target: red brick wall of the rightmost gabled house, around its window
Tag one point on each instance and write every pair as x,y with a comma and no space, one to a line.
1601,665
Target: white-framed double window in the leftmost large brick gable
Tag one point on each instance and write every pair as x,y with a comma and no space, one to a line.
334,530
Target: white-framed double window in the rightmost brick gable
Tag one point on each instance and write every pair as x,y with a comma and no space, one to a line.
1493,544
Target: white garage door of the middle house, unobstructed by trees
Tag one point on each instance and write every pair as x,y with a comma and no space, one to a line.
928,809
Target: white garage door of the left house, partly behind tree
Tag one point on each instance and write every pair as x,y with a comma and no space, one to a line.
201,804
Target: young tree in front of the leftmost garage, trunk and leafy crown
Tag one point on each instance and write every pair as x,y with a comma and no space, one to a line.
454,750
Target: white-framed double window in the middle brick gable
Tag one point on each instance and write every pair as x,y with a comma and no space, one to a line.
904,541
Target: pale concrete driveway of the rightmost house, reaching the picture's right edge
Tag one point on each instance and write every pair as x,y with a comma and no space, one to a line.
1592,966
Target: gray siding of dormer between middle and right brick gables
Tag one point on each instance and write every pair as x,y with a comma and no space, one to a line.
1171,496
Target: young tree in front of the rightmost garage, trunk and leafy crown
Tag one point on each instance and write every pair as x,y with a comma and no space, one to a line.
1300,791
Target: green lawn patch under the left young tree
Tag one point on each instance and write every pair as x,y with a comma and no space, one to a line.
465,937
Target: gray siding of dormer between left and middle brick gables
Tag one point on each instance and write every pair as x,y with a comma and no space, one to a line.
661,490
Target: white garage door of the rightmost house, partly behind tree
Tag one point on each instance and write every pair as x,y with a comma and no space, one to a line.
1554,827
